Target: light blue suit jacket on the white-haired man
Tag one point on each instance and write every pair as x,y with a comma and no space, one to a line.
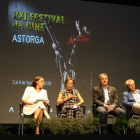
128,99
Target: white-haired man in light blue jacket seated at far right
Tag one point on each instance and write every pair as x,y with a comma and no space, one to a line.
131,98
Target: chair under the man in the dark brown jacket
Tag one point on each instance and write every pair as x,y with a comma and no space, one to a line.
110,118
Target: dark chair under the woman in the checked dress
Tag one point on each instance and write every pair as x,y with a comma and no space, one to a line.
60,115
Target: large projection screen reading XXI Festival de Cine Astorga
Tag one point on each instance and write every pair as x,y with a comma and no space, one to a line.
60,39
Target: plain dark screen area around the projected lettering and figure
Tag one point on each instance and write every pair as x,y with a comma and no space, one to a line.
114,49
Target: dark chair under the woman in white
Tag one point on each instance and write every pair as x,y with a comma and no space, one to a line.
22,116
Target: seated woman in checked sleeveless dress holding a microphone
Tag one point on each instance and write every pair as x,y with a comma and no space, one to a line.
68,98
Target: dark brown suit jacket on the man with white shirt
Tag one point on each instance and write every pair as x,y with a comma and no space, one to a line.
99,97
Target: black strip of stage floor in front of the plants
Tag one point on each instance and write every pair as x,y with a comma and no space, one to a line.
69,137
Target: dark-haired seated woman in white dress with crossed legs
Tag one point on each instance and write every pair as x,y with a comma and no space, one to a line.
31,94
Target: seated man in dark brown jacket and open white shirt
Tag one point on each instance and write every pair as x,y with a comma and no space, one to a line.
106,99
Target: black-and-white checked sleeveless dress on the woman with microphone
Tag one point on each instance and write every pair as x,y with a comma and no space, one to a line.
67,107
